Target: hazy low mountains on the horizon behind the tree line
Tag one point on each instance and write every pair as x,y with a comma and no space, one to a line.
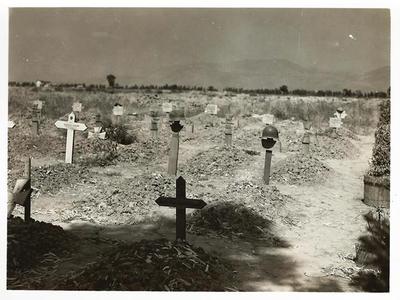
269,73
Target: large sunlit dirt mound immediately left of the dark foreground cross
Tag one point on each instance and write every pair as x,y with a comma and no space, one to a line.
126,201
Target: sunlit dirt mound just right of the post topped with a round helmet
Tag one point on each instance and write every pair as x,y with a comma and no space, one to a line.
299,169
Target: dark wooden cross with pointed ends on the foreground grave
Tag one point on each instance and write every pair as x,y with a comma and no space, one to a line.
181,203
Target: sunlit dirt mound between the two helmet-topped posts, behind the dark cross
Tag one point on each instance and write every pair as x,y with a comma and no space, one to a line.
217,161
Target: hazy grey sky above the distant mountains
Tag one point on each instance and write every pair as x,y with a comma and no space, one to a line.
85,44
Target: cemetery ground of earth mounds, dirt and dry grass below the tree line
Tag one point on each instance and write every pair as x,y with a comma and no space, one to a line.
97,225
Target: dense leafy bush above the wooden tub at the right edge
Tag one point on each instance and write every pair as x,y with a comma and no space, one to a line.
380,163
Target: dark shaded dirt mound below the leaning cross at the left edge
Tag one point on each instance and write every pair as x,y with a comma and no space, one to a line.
27,243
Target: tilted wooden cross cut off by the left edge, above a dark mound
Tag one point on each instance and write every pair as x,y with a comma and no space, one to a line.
22,193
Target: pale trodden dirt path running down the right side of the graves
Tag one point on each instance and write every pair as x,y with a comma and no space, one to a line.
322,243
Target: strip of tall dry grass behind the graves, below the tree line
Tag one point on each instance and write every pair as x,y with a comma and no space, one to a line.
362,113
